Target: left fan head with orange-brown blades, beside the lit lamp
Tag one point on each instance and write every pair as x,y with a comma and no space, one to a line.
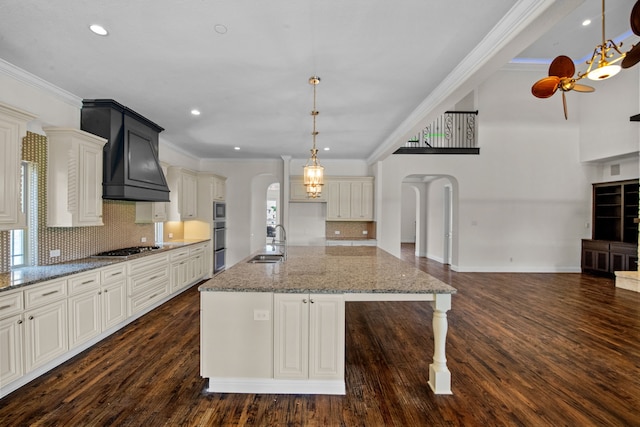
561,73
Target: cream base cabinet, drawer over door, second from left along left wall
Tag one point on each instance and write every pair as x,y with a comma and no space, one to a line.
46,331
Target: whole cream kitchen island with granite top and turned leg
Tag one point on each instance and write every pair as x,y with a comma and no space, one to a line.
280,327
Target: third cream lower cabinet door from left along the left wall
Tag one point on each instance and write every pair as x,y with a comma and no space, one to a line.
84,317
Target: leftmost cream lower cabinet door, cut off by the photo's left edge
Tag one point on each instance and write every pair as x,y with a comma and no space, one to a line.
11,356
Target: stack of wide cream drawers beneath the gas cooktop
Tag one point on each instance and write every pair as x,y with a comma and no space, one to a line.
148,282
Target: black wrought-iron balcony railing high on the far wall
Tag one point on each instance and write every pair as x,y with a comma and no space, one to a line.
452,133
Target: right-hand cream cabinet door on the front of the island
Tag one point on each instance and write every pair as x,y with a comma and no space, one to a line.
326,337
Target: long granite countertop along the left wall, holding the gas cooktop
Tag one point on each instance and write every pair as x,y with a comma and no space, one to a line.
26,276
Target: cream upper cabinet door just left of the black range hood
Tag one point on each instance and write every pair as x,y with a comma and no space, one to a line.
90,184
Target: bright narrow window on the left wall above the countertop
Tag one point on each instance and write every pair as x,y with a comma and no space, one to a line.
21,254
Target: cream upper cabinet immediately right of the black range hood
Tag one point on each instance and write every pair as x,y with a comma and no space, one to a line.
183,185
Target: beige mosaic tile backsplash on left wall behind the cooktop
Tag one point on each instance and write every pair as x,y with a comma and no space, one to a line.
119,230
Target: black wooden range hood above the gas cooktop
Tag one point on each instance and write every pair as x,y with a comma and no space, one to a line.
131,167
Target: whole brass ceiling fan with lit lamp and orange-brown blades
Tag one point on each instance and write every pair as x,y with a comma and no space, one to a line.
562,68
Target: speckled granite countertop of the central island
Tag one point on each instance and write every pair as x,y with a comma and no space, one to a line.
329,269
